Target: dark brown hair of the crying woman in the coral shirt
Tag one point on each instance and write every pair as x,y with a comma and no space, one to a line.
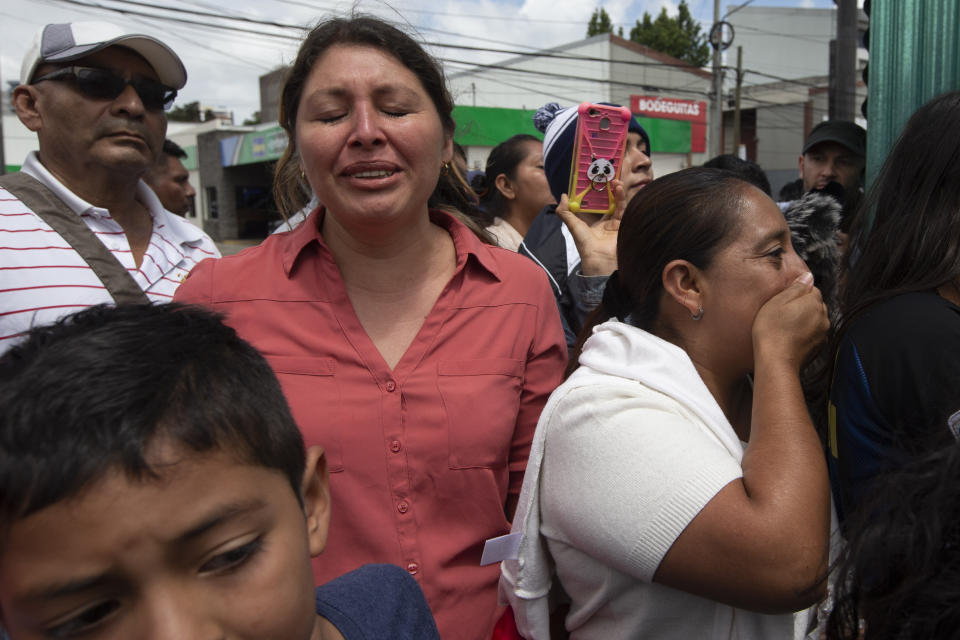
289,188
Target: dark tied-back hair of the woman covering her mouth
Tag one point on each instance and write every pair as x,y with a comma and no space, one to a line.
688,215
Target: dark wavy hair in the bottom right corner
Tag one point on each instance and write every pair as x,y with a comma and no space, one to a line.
900,570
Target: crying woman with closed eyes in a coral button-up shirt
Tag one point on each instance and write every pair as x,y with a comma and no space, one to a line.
417,356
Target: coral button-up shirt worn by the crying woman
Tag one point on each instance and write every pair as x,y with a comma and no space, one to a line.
421,457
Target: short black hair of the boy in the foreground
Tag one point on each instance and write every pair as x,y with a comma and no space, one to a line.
93,392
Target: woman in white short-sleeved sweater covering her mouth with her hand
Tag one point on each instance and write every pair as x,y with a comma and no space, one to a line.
671,493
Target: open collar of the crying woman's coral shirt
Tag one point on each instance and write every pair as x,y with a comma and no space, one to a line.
465,243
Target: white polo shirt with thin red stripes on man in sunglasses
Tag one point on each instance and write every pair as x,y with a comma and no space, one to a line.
42,278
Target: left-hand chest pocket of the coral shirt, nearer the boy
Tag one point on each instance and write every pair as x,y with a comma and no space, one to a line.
314,398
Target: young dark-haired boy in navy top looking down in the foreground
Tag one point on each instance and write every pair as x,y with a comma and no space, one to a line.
153,484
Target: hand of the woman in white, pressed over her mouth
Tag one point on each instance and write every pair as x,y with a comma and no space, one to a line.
791,324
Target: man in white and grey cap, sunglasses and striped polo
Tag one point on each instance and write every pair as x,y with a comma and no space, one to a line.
78,226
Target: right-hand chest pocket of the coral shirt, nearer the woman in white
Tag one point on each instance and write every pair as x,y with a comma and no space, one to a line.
481,399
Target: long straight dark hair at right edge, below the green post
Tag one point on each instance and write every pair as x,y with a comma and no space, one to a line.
913,241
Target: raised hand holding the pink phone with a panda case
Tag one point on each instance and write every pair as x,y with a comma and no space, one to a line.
596,236
